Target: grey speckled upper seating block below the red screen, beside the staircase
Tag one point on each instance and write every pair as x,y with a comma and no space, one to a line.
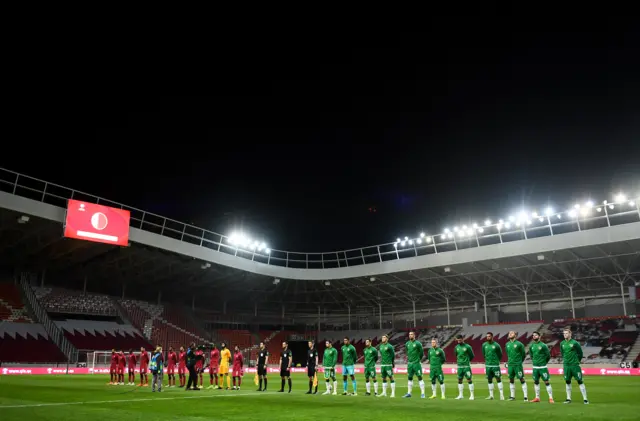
58,300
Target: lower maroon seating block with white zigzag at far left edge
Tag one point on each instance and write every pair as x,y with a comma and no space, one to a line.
27,343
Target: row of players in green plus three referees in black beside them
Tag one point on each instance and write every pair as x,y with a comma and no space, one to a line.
570,349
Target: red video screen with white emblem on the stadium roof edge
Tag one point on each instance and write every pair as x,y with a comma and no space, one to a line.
101,224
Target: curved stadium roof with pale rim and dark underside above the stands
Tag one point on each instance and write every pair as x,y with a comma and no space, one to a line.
598,258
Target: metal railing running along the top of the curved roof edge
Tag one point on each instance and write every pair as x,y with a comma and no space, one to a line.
522,228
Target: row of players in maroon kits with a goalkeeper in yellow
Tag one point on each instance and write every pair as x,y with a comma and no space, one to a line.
219,363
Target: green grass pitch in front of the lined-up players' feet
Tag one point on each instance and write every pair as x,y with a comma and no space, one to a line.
76,397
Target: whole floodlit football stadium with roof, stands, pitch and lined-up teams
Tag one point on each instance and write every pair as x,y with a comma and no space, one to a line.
97,298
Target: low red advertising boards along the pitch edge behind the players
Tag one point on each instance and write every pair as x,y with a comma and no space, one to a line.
7,371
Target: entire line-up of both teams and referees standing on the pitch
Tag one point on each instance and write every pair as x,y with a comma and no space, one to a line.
219,367
